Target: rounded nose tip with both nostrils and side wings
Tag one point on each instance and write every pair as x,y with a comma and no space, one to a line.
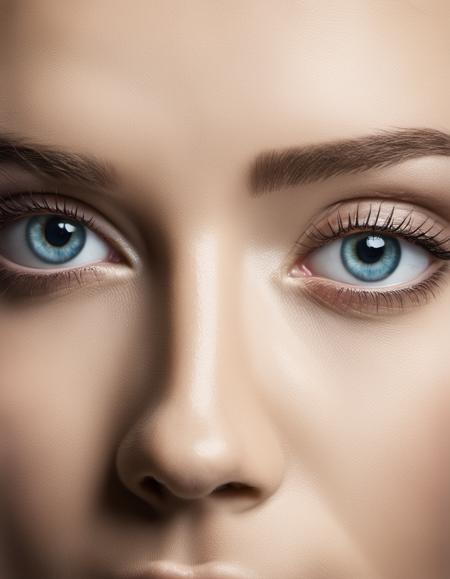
167,465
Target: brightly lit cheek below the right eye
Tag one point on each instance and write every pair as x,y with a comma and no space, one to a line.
367,418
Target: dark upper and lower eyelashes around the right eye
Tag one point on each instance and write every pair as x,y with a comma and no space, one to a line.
369,300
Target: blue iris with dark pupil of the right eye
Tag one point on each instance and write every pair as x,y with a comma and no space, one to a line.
370,257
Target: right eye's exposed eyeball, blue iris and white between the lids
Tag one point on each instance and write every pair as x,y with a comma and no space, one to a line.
369,259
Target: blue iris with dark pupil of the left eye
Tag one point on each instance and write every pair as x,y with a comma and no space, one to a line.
55,239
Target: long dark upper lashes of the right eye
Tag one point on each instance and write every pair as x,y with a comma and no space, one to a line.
414,234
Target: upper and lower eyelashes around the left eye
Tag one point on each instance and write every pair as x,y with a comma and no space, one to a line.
14,207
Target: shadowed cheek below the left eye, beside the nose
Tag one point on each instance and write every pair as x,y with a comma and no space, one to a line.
64,371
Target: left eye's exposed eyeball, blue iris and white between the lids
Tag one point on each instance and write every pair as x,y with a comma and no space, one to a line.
50,241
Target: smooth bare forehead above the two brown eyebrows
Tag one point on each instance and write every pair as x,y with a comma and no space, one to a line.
210,83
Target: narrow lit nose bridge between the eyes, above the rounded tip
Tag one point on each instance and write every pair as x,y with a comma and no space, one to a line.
200,295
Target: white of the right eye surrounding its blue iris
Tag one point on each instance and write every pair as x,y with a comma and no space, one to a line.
327,262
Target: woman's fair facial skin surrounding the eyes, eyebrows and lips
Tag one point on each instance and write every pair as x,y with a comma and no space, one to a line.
341,427
